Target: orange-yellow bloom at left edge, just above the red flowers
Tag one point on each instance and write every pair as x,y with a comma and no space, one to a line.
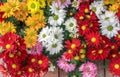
7,27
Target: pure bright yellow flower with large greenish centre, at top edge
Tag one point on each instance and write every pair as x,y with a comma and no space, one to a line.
33,6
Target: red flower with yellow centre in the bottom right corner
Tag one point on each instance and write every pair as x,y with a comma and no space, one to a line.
114,67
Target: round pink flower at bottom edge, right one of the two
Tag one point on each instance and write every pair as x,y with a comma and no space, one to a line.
88,69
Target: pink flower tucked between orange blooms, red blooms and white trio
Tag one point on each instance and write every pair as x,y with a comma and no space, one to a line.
37,49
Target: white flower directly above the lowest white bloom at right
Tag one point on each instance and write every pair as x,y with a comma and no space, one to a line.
107,16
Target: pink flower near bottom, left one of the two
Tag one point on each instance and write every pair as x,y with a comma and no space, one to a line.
64,65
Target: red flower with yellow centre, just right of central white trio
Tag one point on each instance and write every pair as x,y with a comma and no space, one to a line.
72,44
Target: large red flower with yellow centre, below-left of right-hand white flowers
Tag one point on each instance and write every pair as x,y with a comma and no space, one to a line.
93,39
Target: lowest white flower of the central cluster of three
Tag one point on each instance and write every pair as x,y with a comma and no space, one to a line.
54,47
